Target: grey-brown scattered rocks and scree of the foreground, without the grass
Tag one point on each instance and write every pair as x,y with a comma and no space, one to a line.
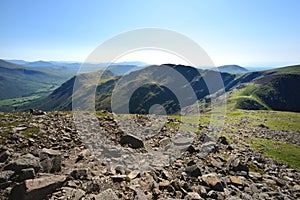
43,157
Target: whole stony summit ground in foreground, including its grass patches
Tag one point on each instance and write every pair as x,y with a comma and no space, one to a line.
253,155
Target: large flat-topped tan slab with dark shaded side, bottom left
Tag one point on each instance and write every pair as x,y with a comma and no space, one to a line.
38,188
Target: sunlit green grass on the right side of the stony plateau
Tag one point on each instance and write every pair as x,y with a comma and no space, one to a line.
274,120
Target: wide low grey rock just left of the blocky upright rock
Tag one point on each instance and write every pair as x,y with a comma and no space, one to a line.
24,162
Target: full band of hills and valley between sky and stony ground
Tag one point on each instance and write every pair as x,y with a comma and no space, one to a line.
245,89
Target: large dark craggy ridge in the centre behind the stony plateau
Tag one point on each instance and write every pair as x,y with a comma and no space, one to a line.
147,92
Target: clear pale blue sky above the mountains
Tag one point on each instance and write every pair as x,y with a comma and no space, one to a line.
254,32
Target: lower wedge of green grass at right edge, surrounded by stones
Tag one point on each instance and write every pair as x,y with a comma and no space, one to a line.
280,151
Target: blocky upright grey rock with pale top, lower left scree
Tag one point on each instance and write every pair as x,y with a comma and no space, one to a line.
50,160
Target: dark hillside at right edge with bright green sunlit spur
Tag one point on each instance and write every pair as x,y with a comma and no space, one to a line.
276,89
